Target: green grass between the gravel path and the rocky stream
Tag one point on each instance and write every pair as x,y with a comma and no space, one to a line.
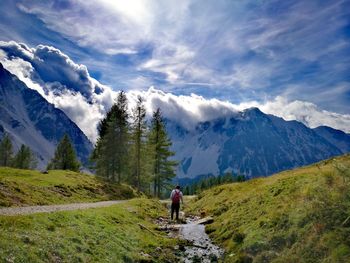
109,234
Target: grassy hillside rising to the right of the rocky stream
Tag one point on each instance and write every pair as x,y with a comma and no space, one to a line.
293,216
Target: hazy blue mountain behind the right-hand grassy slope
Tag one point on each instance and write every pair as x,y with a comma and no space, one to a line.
250,143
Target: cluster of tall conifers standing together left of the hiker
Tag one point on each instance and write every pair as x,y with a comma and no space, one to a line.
131,150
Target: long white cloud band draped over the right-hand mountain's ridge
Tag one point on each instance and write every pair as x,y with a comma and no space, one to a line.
189,110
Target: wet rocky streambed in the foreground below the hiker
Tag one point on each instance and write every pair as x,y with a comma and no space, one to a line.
198,247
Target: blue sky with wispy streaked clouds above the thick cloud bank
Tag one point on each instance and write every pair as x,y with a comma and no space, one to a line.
238,51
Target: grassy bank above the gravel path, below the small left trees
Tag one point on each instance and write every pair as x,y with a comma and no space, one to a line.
26,187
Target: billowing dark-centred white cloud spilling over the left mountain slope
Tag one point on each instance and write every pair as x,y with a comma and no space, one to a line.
60,81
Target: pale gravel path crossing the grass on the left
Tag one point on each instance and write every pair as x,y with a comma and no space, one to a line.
12,211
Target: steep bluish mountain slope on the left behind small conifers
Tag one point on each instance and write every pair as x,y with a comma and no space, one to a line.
33,121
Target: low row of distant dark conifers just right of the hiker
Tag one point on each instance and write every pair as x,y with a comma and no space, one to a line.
208,182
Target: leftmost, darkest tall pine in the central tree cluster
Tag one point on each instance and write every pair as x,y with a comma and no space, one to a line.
112,148
